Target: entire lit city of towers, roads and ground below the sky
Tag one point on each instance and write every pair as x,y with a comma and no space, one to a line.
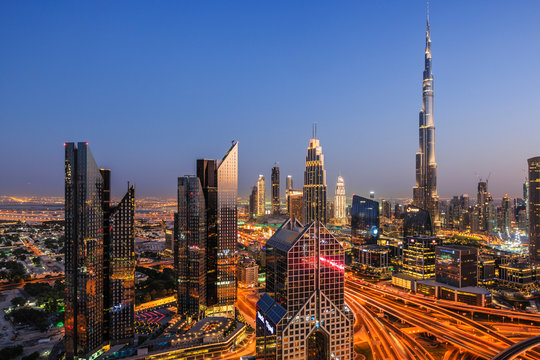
303,273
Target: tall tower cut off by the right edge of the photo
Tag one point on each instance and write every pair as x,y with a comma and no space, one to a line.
533,195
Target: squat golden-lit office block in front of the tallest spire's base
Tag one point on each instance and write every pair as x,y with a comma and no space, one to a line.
419,256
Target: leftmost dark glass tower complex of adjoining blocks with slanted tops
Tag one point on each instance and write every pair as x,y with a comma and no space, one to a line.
99,258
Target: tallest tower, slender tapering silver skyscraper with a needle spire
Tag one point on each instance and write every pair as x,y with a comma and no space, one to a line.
425,191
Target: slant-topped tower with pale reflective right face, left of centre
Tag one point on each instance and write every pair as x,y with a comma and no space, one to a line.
219,182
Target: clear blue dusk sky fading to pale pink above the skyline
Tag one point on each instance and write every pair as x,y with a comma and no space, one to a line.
154,85
